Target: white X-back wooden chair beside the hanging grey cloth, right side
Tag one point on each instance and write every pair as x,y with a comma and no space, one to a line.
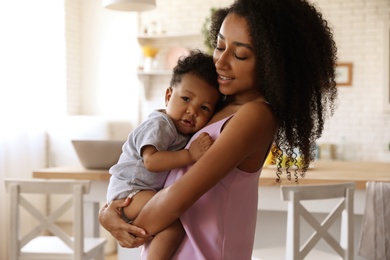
295,250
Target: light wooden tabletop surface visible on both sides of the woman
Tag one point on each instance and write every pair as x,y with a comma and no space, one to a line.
320,172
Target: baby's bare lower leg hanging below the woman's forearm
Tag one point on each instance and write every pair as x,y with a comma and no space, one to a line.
165,243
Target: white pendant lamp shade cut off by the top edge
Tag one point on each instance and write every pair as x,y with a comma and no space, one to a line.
129,5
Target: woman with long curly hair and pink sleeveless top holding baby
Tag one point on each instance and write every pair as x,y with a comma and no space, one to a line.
275,61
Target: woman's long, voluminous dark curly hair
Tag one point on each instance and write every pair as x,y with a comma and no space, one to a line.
295,67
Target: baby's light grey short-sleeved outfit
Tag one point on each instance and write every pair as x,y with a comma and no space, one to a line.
129,174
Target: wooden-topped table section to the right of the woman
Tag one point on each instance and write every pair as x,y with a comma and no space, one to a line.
323,172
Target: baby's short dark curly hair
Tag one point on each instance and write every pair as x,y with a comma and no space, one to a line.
198,64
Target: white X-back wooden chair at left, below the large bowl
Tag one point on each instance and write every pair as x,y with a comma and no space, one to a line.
58,245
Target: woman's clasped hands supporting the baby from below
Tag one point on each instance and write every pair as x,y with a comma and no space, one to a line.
126,234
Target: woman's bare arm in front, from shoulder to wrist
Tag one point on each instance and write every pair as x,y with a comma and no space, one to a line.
245,138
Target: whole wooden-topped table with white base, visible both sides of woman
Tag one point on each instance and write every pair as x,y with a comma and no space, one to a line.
321,172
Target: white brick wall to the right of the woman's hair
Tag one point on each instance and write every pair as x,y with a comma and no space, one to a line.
360,118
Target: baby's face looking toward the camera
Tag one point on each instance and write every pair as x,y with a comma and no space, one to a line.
191,103
